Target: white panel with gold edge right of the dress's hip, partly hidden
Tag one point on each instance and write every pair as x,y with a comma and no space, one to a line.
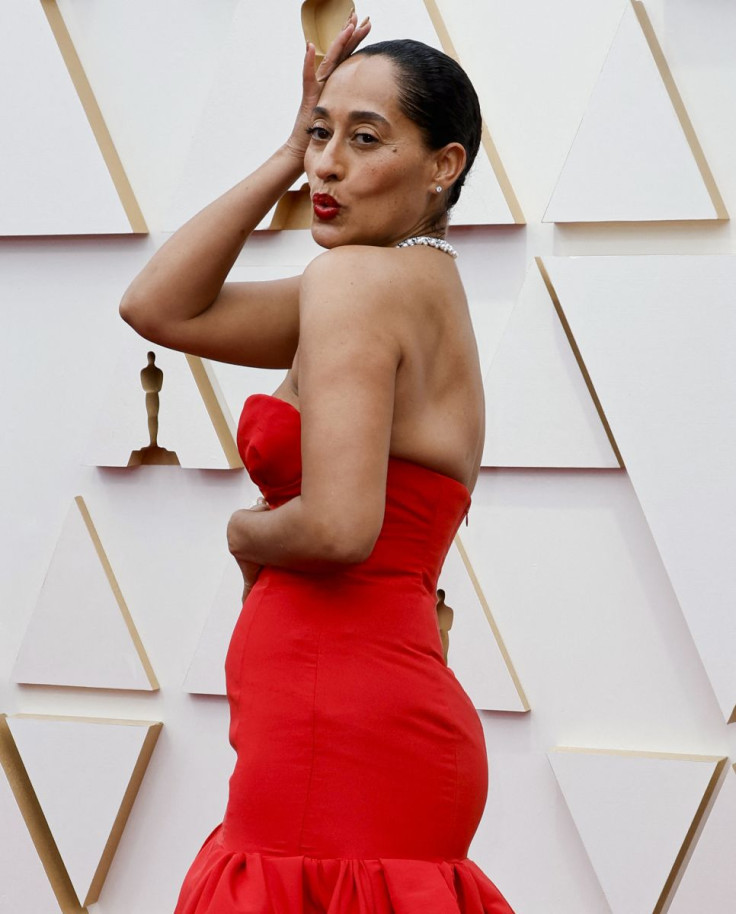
476,656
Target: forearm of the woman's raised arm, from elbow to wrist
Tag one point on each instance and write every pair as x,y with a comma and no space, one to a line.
186,274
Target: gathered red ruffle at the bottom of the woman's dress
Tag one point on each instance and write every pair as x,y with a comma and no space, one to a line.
223,881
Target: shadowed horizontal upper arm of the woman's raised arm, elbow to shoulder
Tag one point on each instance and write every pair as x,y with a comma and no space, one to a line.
249,323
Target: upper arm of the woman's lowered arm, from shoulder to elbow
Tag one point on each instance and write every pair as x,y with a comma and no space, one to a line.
348,358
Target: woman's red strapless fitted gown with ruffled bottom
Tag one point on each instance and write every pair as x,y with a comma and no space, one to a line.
361,770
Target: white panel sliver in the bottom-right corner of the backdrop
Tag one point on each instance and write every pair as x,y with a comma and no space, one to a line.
709,880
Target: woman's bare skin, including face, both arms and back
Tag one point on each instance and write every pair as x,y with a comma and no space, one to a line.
378,341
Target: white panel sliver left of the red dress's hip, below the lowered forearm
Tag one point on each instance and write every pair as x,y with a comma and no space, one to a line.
206,674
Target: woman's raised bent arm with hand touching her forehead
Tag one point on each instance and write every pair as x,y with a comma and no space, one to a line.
180,298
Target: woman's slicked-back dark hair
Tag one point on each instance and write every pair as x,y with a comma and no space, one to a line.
436,93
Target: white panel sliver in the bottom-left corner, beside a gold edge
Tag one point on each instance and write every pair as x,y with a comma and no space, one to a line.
26,888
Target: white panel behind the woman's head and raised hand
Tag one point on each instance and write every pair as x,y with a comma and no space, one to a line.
270,38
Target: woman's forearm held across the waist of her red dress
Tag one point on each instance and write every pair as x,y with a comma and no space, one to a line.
293,536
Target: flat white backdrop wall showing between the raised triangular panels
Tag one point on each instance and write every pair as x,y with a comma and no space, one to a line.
565,555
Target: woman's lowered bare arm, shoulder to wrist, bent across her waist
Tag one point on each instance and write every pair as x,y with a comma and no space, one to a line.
349,354
